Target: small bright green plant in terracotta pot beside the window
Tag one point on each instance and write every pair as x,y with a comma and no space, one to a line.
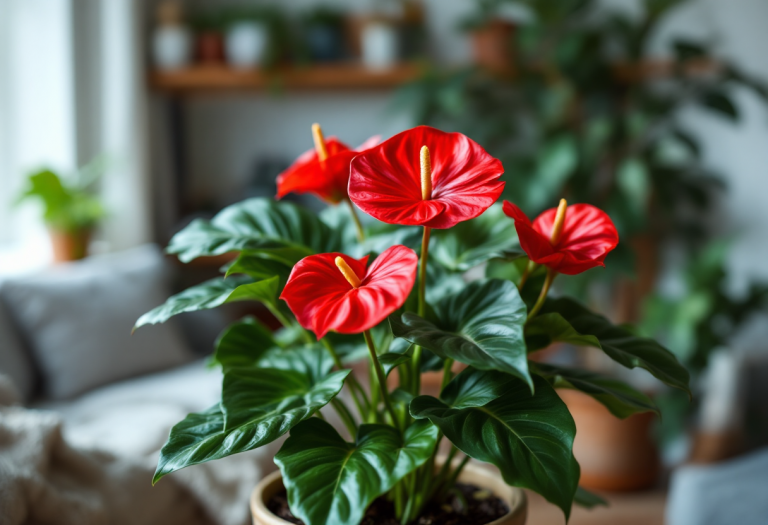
72,210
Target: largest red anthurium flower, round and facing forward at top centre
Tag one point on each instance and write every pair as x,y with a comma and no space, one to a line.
425,177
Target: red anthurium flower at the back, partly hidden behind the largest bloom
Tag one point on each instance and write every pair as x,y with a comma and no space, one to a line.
323,170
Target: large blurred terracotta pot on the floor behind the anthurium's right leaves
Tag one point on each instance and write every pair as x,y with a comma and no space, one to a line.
614,454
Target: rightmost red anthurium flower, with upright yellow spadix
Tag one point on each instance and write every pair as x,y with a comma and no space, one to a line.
567,239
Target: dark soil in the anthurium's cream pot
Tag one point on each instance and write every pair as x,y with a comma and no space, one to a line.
478,508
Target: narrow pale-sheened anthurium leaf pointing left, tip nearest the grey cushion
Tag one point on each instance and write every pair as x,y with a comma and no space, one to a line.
211,294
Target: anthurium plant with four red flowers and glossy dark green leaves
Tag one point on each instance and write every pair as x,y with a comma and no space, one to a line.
396,291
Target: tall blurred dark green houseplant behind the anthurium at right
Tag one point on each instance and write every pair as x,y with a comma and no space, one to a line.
588,114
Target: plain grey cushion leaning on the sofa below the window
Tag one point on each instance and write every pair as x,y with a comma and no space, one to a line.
77,319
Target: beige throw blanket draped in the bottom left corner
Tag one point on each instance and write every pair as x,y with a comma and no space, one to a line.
45,481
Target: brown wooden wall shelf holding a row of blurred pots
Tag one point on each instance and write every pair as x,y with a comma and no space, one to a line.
320,77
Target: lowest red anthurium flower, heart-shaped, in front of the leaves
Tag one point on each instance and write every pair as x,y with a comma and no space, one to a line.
332,291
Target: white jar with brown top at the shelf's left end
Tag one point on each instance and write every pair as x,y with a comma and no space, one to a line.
171,39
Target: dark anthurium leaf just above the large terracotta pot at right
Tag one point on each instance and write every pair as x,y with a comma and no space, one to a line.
618,397
